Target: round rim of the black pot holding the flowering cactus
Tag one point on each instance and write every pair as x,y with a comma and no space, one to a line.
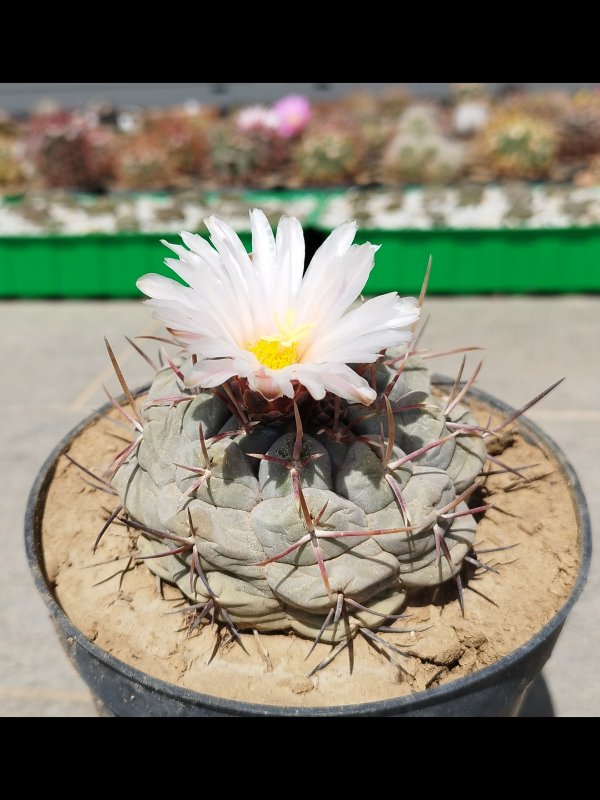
458,687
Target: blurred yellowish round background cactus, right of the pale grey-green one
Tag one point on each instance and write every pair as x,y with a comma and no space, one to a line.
518,145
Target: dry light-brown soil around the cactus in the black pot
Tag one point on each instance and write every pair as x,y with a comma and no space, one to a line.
118,603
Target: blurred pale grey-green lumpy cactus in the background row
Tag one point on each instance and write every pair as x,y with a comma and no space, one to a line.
419,153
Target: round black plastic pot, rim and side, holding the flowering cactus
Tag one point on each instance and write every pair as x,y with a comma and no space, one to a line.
497,690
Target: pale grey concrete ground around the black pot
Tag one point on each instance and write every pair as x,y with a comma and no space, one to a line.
54,365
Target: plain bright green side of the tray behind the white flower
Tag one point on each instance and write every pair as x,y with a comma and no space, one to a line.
464,261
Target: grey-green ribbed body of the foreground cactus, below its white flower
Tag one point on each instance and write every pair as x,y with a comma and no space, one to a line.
285,517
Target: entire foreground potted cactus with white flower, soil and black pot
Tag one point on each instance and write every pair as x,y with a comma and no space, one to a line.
301,487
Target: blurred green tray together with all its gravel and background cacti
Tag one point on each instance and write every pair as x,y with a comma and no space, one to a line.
507,179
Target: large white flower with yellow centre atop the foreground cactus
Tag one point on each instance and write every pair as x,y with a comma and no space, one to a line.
256,317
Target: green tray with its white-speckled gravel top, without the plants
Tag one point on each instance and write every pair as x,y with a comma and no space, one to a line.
480,259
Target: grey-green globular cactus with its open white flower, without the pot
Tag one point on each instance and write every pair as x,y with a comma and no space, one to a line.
296,493
